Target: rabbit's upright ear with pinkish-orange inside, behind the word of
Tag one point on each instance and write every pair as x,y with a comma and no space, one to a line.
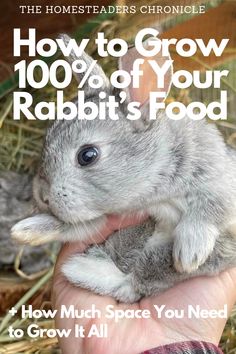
148,79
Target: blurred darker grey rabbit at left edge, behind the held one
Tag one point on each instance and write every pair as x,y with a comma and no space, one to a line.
16,203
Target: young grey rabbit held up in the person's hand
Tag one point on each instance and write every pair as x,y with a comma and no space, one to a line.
180,173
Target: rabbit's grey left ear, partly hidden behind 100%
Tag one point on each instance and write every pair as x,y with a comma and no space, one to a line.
88,63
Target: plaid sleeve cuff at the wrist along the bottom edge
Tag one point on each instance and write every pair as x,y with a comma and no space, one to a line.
186,348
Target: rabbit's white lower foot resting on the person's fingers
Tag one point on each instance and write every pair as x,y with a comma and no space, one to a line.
100,275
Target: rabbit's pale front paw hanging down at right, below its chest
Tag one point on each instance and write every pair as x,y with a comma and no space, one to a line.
192,247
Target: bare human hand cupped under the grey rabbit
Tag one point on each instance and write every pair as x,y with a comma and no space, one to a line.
132,336
